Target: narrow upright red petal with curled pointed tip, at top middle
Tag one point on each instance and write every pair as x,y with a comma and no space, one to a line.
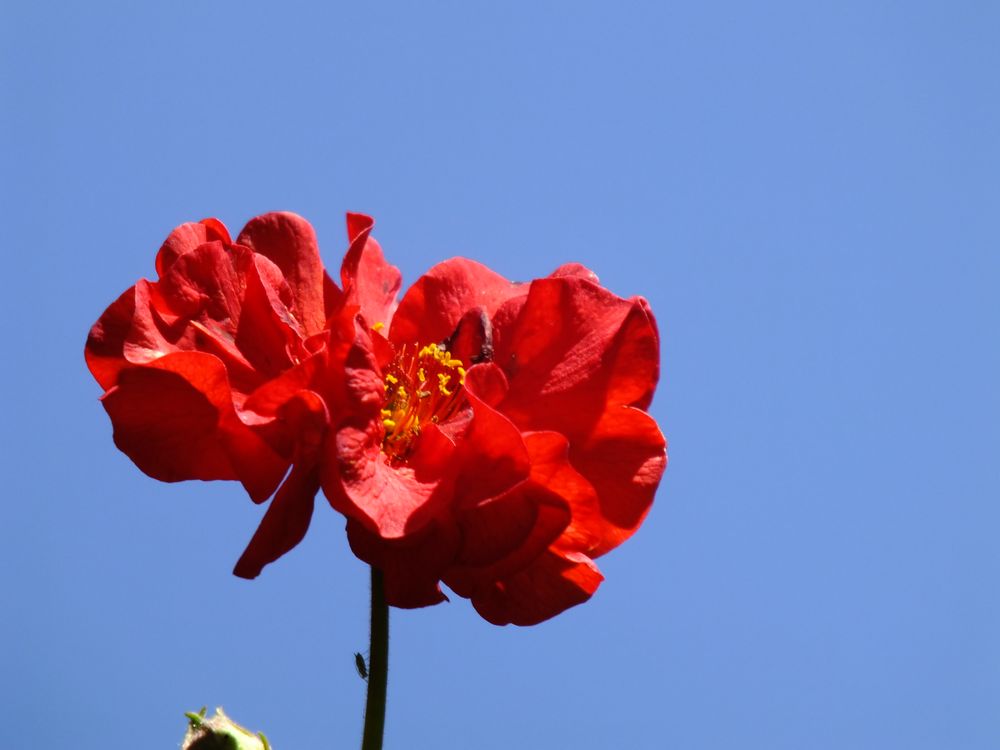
369,282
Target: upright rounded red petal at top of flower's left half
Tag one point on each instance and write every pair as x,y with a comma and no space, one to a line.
290,242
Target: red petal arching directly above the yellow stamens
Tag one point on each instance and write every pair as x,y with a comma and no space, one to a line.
434,305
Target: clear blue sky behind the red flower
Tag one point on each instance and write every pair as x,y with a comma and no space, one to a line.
807,193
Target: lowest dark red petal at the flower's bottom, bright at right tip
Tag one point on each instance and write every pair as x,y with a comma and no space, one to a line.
550,585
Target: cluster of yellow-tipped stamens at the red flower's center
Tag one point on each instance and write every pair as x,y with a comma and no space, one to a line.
421,387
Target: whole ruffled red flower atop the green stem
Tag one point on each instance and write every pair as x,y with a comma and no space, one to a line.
488,434
